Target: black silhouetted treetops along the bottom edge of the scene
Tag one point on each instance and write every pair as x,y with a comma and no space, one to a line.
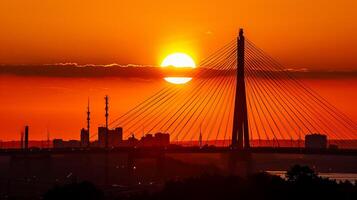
301,183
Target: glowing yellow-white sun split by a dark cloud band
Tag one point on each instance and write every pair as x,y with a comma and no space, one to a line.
179,60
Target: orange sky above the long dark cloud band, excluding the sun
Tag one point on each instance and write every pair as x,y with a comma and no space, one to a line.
314,34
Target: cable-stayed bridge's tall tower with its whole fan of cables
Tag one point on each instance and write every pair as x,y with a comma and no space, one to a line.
240,97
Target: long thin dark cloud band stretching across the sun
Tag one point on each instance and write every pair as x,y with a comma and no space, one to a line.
150,72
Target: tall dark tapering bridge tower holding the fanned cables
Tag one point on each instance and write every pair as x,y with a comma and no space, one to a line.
240,134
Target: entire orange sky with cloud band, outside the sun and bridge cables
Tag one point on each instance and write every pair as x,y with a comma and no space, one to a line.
318,35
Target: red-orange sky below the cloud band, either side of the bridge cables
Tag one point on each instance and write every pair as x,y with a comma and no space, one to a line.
59,104
